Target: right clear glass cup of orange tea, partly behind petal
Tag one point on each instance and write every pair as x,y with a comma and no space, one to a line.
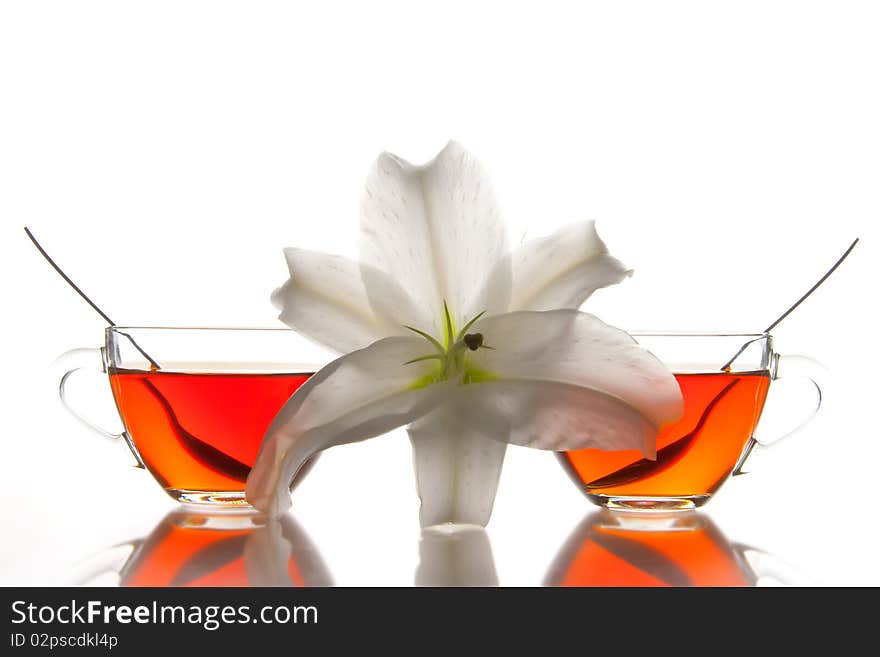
712,439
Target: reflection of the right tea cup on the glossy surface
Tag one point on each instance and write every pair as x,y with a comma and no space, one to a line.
677,549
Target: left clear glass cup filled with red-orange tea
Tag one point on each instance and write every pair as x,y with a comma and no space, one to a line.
195,403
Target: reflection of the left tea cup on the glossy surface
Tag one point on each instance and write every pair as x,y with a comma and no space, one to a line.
222,549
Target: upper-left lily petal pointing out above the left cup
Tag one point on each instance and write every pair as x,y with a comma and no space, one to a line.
325,299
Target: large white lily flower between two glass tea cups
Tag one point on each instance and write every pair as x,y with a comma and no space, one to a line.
469,345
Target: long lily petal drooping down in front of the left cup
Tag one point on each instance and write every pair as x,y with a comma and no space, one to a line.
360,395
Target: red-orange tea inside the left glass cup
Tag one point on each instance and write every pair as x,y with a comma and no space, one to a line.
200,432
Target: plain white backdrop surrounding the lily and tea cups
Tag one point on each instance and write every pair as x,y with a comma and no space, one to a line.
164,153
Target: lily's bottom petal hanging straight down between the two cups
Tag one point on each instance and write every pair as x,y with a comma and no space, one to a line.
457,470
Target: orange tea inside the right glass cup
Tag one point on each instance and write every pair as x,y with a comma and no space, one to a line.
694,455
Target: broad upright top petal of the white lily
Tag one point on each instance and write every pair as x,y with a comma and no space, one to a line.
435,230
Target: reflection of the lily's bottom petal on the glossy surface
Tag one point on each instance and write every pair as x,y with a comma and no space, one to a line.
455,556
